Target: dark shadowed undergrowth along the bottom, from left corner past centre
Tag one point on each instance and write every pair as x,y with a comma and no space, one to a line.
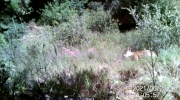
83,85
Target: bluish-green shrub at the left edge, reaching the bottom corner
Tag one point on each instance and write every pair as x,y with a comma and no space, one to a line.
14,75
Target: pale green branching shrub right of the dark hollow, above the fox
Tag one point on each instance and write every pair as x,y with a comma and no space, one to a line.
157,30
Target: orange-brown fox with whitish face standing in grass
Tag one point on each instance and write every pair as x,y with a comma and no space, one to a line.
139,54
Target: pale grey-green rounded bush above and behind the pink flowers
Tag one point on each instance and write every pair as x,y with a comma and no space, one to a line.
73,32
